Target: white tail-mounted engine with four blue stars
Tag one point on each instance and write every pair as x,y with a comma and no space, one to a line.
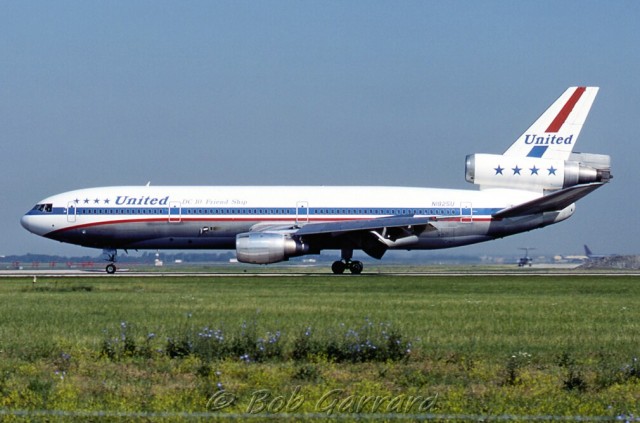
536,174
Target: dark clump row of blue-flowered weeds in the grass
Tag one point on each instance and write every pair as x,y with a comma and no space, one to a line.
370,342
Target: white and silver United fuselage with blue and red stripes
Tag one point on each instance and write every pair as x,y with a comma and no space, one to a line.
173,217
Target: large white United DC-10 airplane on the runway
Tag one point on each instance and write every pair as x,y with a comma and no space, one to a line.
533,184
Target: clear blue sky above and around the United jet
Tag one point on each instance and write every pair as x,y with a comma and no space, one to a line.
309,92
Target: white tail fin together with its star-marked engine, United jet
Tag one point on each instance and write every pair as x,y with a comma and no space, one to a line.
541,159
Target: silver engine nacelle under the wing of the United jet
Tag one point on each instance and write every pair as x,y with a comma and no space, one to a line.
267,247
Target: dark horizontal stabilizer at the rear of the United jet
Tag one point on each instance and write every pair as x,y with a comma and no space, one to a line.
552,202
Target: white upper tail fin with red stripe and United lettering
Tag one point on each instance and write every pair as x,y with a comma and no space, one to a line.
555,133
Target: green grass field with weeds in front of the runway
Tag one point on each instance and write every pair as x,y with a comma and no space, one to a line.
532,345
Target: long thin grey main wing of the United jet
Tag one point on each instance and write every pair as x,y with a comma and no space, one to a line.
362,225
